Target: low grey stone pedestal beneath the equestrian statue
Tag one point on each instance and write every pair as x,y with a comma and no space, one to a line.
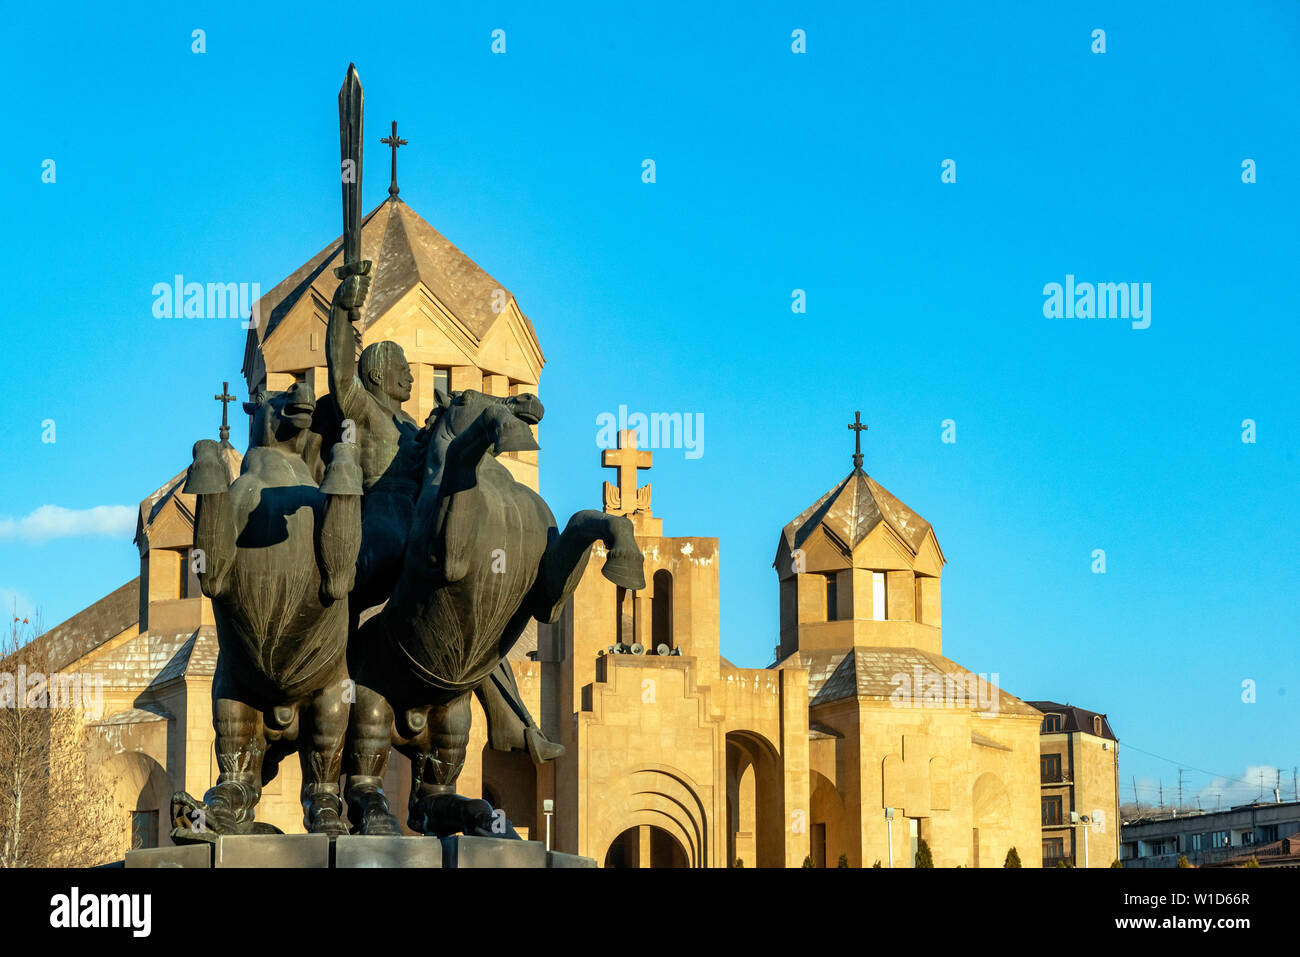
356,851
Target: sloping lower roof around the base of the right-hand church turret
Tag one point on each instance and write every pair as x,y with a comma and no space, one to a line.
879,673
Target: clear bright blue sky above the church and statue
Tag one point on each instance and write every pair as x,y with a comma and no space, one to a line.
774,172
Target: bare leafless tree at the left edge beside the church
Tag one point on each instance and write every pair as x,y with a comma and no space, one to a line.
53,812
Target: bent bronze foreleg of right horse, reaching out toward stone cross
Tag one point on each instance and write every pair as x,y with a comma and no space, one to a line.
567,555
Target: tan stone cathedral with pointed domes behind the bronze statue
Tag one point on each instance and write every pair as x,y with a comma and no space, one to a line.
859,743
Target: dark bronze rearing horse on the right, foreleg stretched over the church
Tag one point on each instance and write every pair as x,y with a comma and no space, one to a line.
484,556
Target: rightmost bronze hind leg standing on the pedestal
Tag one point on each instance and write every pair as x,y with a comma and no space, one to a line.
437,756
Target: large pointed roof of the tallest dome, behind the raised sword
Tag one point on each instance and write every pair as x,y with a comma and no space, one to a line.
405,250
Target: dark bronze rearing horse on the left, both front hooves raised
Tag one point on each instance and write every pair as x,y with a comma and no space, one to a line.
278,556
